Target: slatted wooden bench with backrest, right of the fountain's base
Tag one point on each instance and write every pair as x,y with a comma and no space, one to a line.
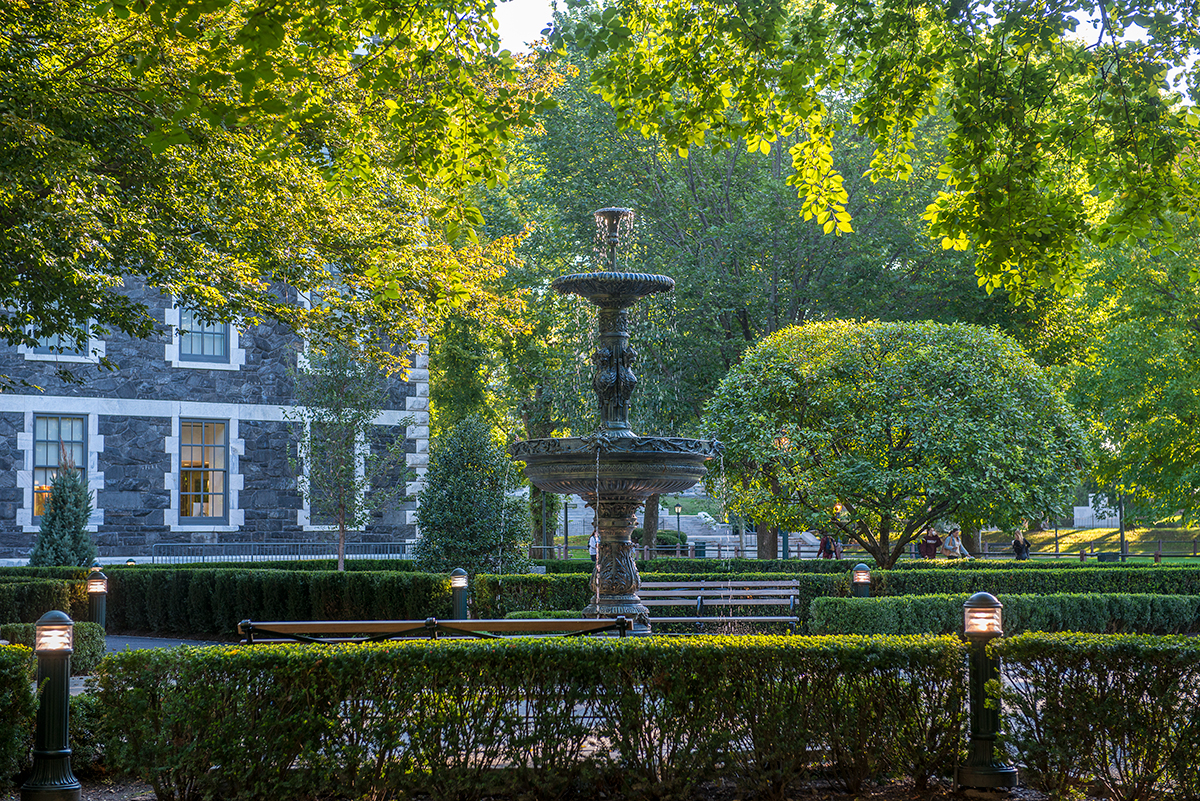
704,594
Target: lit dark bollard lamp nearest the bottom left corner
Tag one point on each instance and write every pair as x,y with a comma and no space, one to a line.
52,779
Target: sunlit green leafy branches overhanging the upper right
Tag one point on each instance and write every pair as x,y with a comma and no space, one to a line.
1060,130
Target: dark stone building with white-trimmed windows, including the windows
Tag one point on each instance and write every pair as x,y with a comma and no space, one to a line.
185,443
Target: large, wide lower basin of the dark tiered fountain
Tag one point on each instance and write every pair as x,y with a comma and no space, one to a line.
629,466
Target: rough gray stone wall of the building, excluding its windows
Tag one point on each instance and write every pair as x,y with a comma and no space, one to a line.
135,408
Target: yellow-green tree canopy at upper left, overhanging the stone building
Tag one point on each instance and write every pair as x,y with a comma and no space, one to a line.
331,206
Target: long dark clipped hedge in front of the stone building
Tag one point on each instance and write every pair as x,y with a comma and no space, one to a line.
212,603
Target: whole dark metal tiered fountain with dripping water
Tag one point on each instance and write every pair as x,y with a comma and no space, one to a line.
615,469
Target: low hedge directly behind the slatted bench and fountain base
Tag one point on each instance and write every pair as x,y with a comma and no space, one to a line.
495,597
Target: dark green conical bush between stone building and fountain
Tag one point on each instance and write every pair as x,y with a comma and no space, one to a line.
467,514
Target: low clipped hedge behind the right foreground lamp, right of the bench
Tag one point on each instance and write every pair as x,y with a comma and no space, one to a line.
943,615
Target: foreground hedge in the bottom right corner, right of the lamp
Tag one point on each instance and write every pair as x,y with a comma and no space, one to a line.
1120,712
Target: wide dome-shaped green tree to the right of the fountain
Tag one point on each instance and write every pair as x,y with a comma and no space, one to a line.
878,430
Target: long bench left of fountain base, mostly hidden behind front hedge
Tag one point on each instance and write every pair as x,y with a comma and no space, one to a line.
376,631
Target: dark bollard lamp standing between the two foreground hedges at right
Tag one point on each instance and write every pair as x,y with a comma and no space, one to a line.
982,624
